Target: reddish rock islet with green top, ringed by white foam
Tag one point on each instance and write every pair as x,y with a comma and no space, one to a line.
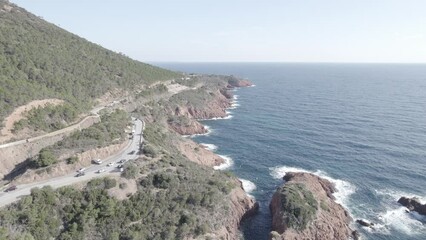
304,208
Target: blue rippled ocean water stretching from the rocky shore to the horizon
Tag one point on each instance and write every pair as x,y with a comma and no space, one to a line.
363,126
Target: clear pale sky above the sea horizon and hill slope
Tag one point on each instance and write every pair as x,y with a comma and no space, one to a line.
247,30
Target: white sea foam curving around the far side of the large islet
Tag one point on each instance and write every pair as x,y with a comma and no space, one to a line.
344,189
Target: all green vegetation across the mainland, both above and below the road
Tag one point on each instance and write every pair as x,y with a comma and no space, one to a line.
175,198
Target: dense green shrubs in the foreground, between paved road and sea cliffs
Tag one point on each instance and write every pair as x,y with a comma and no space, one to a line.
175,200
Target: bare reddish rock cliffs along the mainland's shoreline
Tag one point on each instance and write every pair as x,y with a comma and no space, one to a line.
241,205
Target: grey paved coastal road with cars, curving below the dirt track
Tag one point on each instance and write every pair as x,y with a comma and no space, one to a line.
130,152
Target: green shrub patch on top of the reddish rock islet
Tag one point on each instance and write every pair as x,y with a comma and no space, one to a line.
298,205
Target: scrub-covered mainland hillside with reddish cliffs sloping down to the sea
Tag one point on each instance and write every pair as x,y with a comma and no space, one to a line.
168,191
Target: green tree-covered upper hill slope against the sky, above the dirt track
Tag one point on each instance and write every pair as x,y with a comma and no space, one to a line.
40,60
